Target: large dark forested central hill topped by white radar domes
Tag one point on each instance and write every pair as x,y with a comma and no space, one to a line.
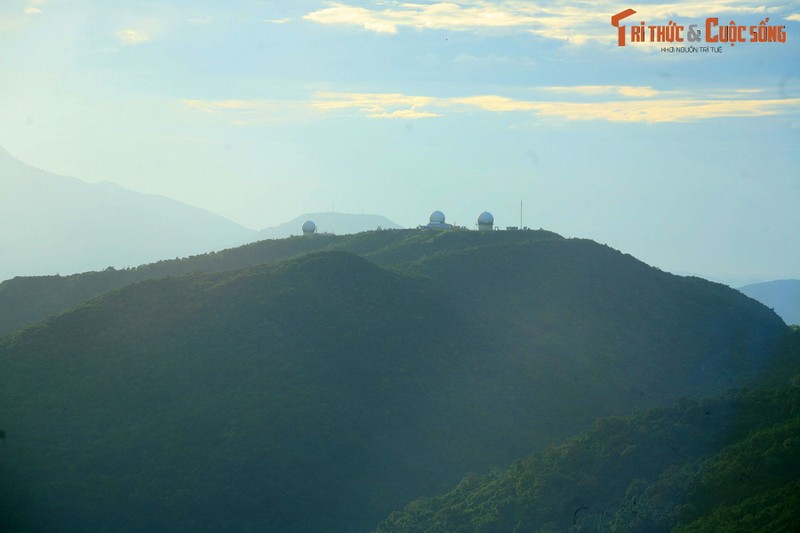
323,391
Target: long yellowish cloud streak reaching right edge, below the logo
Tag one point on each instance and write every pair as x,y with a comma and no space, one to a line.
607,103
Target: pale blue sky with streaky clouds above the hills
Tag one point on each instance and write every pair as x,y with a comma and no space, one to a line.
687,158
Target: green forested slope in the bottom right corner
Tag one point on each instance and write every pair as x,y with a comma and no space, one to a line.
727,463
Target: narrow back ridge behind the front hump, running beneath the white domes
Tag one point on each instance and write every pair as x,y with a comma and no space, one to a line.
26,300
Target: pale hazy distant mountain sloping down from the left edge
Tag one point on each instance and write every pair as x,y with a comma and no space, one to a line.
56,224
